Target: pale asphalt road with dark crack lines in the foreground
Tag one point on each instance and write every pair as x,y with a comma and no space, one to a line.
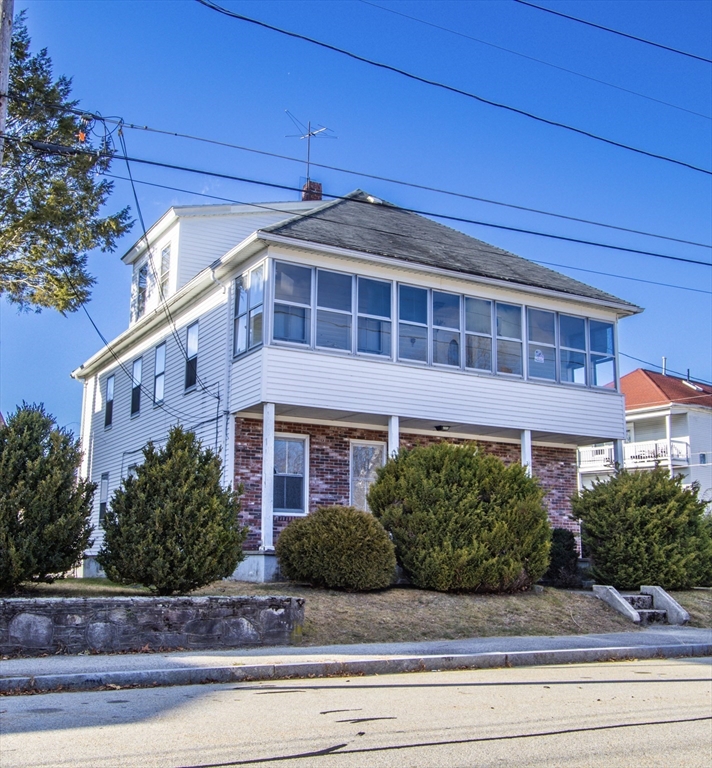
645,713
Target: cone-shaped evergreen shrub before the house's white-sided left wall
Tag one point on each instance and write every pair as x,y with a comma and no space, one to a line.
172,527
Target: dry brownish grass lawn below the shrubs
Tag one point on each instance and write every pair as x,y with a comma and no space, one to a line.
405,614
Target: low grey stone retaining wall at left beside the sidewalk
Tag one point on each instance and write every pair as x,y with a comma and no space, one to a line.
34,626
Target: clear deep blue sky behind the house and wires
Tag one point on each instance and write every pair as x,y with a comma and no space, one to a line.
181,67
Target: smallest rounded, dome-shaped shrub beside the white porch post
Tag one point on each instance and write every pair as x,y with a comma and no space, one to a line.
337,547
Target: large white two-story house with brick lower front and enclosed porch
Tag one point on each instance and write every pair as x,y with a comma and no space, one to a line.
307,341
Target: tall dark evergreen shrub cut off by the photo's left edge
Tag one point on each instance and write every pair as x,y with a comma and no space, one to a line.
44,507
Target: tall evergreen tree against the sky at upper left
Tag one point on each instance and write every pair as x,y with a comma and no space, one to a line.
49,202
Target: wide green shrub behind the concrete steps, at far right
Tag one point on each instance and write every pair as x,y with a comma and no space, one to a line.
645,528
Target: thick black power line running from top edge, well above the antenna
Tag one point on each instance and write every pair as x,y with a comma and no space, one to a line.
450,88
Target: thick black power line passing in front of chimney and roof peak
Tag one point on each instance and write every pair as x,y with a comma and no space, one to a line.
61,149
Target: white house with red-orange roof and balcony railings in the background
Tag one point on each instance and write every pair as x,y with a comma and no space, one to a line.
668,423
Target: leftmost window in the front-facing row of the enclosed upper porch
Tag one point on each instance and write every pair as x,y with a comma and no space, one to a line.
292,303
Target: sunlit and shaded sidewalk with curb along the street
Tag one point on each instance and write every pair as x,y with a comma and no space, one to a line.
193,667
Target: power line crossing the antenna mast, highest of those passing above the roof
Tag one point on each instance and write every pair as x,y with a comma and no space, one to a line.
376,177
